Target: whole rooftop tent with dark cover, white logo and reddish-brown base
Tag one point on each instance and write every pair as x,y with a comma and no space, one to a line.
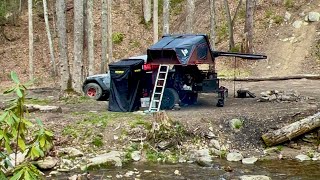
181,49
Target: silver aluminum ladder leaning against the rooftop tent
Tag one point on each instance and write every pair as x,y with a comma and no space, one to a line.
158,88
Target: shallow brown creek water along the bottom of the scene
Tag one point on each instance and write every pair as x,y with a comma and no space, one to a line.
220,169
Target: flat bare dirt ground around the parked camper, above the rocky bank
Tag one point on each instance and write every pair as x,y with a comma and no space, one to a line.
259,117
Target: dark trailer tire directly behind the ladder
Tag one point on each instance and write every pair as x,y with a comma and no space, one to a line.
169,99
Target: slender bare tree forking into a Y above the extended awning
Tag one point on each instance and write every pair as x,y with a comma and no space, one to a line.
231,22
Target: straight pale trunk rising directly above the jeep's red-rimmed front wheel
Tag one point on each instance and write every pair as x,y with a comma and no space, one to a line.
90,37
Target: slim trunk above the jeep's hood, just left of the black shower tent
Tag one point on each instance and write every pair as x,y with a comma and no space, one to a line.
104,35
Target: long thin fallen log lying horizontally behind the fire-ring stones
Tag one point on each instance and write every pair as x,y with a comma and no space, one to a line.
273,78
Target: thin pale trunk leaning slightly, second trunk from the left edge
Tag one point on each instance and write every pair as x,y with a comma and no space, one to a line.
53,62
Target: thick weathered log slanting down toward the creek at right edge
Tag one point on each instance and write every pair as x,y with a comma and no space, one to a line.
292,130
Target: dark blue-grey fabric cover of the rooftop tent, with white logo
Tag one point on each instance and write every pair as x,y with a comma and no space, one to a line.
183,46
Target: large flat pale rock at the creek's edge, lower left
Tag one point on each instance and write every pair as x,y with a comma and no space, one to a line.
107,159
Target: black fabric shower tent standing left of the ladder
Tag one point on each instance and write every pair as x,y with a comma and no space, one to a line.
125,85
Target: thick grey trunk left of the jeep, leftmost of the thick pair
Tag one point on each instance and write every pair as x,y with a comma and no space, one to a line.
63,47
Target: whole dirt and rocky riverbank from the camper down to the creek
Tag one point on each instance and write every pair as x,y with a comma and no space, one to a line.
198,134
